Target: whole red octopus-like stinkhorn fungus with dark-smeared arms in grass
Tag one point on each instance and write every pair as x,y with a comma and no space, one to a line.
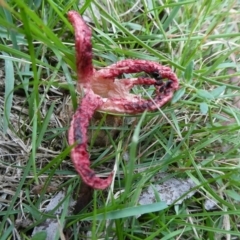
104,91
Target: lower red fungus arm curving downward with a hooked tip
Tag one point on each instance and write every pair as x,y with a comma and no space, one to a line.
78,135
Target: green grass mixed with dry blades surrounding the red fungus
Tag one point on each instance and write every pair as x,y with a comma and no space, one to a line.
195,136
